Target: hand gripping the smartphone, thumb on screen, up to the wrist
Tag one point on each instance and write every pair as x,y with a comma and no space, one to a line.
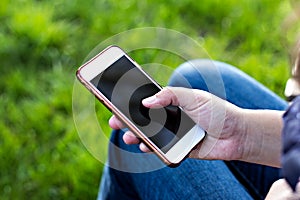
219,118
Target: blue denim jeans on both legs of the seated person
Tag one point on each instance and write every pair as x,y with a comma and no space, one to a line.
195,179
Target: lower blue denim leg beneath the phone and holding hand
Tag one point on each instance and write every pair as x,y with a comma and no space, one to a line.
193,179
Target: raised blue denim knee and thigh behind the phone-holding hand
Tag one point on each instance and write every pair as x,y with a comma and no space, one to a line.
226,82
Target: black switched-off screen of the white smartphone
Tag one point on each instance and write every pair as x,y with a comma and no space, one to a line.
126,86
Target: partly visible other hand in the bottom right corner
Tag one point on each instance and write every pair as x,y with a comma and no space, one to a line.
281,190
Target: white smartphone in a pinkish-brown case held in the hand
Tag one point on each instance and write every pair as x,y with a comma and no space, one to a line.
121,85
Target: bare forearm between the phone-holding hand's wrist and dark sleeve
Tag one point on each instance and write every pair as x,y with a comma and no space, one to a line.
262,132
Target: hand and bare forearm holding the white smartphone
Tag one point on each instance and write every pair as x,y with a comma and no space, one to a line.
233,133
